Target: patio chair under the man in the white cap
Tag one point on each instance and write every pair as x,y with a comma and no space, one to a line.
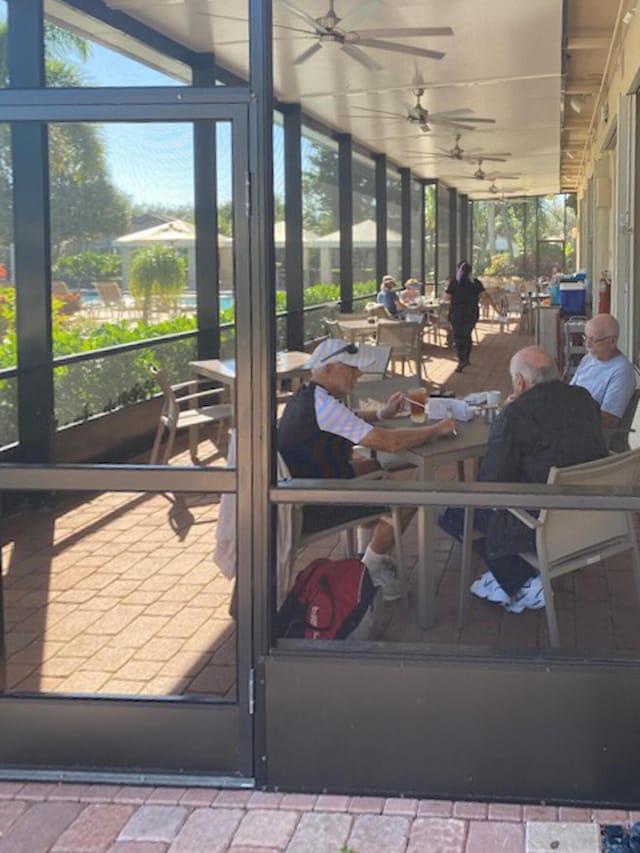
292,539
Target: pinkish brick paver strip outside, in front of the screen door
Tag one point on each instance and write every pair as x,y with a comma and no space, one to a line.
68,818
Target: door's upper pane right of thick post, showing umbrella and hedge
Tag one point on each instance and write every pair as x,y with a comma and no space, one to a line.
123,273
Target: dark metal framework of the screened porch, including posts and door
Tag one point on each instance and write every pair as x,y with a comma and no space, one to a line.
455,707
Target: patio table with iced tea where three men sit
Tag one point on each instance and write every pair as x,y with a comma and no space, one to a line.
470,443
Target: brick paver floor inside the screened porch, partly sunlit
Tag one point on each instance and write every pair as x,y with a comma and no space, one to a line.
116,593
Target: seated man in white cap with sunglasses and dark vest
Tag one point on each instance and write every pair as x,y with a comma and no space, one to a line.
318,431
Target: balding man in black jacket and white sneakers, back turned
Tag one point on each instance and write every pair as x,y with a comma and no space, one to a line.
546,422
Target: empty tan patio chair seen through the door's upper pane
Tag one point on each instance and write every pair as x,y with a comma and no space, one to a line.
182,409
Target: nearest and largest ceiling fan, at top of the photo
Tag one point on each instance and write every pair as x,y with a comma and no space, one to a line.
331,29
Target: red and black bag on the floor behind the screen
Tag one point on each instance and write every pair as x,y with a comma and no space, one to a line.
328,601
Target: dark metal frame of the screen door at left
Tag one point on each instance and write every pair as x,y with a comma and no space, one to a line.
203,740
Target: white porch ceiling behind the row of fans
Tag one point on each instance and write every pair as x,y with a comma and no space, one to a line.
503,61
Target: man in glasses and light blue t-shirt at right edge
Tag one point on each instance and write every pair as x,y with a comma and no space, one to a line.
604,371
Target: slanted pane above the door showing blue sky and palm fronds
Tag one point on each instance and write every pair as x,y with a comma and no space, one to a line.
74,58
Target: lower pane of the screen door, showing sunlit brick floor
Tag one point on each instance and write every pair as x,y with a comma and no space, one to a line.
117,593
